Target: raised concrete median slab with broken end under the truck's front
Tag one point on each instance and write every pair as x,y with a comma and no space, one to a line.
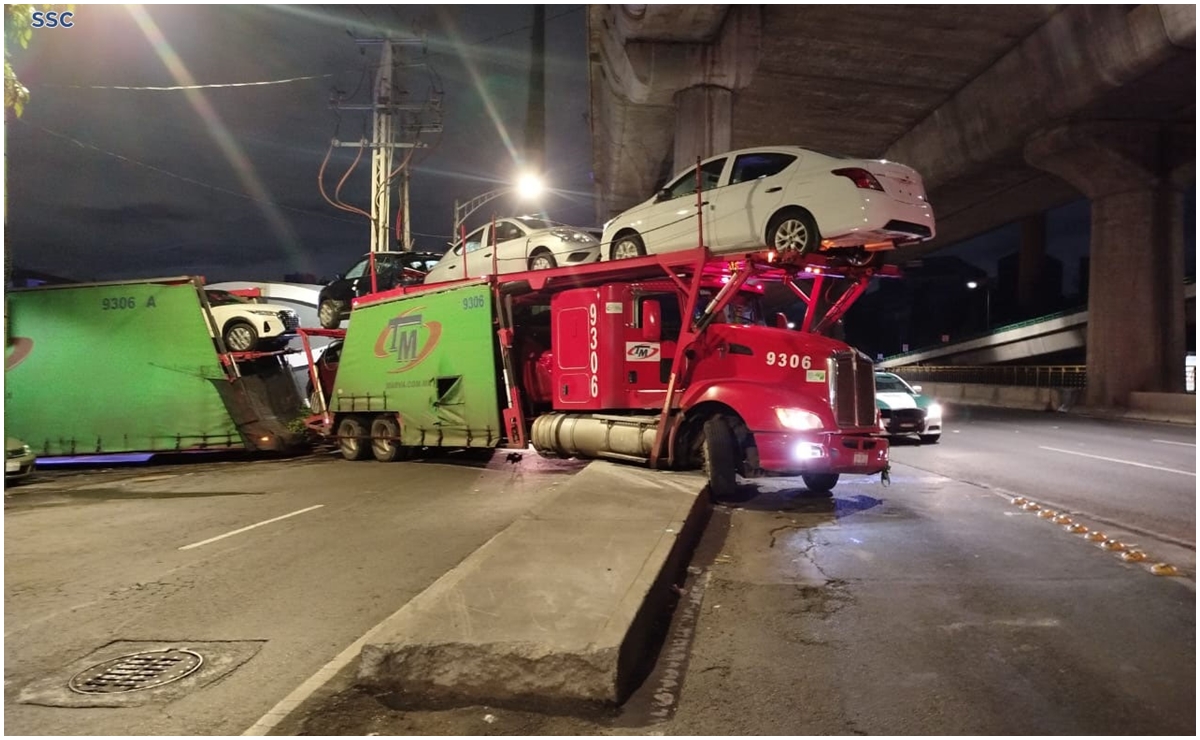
557,610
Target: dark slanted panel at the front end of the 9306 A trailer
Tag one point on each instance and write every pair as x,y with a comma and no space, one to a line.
262,404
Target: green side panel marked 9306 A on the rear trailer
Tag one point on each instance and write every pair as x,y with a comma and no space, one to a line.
118,368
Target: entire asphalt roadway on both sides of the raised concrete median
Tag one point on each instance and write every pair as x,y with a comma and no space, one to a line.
932,606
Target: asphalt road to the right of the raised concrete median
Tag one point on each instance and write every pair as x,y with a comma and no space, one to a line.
933,606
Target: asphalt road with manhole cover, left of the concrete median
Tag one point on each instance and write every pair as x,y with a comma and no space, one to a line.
109,561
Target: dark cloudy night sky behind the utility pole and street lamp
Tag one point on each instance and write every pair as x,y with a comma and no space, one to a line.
109,184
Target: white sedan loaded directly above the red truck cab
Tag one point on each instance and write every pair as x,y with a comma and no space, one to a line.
782,198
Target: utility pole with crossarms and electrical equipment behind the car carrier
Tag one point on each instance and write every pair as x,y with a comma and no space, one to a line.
393,116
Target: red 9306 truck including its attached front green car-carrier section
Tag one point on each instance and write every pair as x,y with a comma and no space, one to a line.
663,360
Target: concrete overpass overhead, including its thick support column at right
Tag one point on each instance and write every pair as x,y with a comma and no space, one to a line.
1007,112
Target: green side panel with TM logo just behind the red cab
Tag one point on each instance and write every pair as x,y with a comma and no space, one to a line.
430,358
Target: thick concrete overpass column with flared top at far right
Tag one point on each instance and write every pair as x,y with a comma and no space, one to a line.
1136,324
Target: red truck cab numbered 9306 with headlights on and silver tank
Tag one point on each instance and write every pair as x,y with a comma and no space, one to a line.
754,398
